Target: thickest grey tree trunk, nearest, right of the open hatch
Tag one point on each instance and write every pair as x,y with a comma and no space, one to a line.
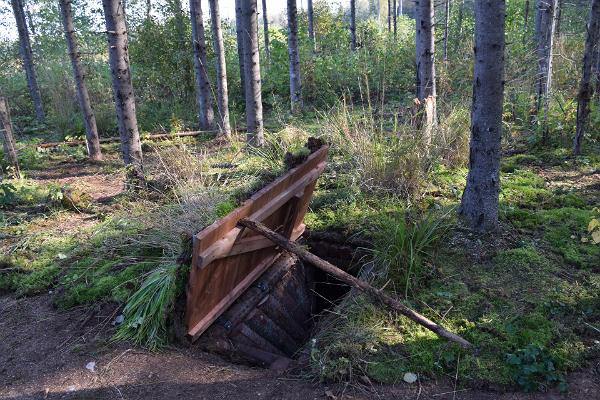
479,203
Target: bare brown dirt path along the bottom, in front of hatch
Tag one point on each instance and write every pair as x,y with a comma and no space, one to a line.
44,353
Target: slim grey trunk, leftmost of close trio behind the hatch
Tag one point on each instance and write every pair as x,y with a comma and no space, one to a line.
203,92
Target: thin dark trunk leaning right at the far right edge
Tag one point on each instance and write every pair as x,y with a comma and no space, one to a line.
585,86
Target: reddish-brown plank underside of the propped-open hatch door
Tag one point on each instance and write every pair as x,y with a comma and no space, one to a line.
227,259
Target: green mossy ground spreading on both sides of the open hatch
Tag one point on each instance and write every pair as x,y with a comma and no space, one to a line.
535,283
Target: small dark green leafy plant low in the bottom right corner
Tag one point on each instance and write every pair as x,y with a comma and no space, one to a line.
535,369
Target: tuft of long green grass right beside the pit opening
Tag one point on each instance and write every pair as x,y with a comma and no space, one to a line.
404,244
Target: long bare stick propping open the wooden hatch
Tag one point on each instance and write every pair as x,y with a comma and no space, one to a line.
359,284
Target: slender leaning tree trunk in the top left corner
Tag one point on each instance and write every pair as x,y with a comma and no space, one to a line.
27,55
